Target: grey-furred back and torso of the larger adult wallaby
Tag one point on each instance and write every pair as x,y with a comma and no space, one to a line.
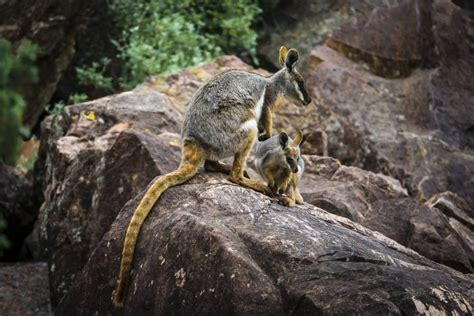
219,108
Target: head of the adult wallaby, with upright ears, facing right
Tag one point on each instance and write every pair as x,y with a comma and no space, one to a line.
291,80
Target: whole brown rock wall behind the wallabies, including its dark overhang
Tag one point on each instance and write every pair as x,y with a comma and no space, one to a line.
416,128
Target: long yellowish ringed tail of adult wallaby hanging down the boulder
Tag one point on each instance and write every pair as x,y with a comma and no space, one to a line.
192,158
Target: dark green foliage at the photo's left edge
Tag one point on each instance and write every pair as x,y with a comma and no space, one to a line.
16,71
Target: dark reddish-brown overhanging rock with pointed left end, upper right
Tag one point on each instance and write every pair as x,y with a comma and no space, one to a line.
392,38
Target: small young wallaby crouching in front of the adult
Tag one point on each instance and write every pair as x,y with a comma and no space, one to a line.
278,161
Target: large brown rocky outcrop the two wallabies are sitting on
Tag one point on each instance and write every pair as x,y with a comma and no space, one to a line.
211,241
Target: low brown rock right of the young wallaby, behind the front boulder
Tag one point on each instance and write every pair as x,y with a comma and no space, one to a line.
380,203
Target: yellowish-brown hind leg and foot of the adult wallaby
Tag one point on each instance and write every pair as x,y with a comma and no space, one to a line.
237,172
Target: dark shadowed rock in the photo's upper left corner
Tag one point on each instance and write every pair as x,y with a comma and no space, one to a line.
52,25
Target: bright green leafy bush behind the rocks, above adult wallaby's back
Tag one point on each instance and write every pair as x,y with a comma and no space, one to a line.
166,35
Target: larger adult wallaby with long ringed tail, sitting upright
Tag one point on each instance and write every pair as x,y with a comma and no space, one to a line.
221,121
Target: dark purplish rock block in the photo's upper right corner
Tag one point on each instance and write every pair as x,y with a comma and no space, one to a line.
451,86
